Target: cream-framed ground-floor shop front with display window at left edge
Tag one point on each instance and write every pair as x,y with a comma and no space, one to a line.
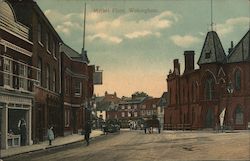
15,117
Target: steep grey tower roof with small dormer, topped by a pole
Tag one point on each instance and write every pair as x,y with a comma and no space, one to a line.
212,51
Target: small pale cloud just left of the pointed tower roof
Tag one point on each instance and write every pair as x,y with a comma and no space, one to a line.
184,41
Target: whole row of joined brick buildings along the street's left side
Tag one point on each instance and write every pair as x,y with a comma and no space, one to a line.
43,82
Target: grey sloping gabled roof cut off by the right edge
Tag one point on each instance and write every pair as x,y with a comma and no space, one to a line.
241,50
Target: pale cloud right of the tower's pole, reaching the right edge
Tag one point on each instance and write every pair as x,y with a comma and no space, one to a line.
229,25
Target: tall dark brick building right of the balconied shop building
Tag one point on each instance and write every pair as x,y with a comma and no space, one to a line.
46,58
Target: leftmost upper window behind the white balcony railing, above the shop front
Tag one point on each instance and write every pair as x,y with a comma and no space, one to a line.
7,72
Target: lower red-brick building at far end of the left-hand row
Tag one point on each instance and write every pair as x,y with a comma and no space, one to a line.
77,89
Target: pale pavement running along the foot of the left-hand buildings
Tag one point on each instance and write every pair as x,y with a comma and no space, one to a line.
59,141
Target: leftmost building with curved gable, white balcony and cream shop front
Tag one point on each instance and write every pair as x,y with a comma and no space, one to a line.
16,79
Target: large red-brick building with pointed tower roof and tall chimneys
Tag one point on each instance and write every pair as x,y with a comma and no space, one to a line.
198,96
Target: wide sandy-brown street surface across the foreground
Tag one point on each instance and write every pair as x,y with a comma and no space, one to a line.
135,145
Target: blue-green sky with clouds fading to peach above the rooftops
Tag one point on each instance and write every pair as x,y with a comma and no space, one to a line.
135,41
